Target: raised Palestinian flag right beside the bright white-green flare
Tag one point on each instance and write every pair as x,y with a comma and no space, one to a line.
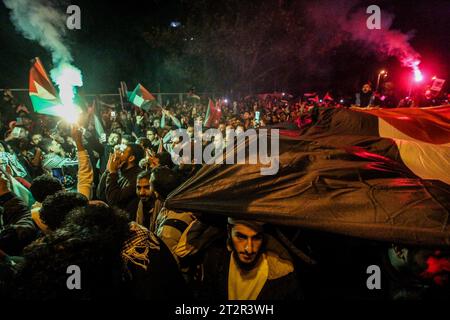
43,94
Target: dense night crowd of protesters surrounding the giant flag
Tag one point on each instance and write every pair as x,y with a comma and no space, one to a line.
92,195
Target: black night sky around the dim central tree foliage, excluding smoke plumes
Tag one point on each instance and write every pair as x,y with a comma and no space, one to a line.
110,47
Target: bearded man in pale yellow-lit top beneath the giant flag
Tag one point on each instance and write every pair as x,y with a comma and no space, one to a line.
253,269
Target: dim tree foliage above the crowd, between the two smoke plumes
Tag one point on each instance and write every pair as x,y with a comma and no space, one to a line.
240,45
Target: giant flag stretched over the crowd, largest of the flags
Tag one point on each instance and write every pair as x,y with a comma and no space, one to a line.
376,174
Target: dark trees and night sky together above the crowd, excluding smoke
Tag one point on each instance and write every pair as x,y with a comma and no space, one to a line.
238,46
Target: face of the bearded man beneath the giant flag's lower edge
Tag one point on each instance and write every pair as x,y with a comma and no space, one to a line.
247,244
